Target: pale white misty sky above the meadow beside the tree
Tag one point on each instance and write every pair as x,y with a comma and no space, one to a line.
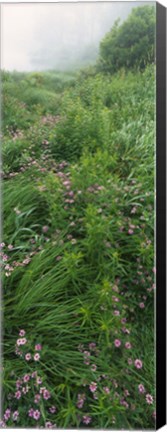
57,35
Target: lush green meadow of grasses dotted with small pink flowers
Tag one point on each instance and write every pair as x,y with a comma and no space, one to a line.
77,253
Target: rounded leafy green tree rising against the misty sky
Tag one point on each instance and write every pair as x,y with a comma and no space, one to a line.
130,44
